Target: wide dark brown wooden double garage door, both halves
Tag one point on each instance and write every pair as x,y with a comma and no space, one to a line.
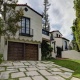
22,51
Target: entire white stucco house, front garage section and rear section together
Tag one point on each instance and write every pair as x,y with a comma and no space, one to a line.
26,44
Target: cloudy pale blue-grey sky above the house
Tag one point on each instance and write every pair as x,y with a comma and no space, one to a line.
61,14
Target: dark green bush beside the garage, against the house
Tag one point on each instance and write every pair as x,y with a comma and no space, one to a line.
46,50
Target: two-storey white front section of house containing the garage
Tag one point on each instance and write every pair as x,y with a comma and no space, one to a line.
26,44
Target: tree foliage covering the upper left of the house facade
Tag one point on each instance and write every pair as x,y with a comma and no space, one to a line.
10,17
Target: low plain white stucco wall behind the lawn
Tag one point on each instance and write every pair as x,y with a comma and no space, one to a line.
71,54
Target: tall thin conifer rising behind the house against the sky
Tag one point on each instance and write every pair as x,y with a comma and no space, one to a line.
46,24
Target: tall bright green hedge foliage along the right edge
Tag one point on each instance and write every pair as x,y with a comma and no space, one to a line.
76,24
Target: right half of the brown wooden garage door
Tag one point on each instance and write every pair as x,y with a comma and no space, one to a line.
31,52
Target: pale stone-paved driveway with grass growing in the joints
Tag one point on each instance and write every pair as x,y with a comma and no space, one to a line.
34,70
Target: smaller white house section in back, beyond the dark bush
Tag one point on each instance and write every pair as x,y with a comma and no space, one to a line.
58,41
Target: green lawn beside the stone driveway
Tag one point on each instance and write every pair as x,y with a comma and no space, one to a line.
71,64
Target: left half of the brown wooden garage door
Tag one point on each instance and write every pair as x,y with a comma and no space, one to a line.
15,51
